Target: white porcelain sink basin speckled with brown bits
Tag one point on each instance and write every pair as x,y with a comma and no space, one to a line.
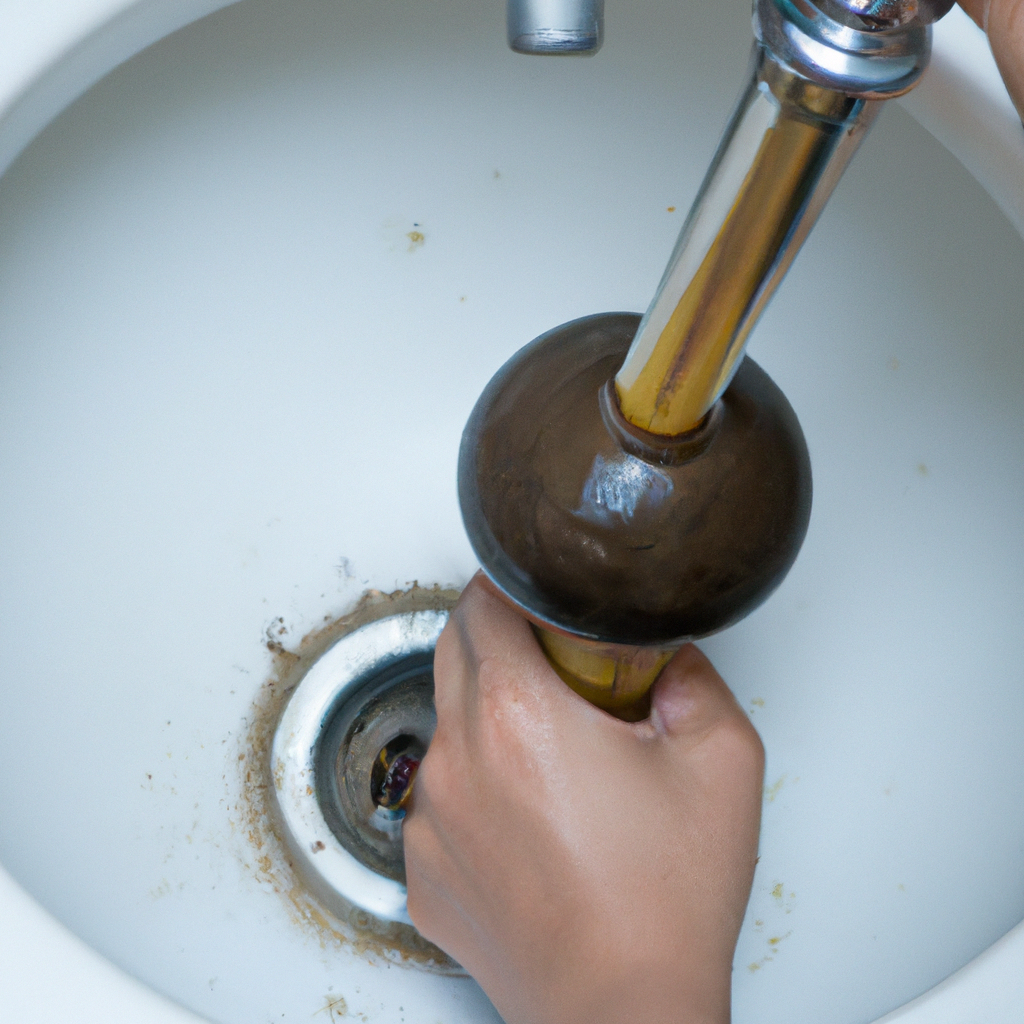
251,284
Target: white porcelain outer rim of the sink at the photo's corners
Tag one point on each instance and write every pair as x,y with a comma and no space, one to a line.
53,56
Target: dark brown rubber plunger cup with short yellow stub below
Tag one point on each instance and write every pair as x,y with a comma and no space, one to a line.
618,544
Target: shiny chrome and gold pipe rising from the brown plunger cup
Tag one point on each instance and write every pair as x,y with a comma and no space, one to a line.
820,74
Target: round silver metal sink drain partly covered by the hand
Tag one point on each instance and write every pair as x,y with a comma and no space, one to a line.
352,734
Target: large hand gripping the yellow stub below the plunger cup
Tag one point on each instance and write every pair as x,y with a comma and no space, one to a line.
582,869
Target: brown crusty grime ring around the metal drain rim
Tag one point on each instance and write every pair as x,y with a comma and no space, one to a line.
257,810
